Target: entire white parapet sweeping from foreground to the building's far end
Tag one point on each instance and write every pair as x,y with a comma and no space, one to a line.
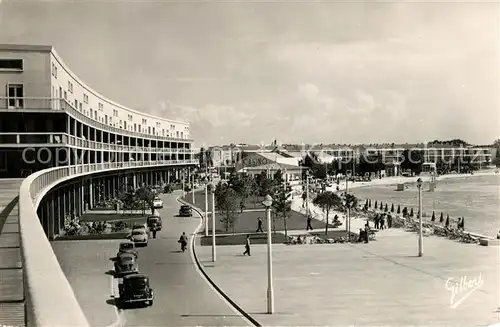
50,298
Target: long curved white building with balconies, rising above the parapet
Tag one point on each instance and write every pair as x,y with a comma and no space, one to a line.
50,118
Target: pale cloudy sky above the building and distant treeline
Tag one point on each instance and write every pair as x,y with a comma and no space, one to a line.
296,71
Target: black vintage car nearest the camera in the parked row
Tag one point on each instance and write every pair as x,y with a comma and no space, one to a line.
135,289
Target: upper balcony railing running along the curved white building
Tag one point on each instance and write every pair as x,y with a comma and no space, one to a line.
47,104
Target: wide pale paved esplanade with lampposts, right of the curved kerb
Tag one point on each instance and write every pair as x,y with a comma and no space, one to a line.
381,283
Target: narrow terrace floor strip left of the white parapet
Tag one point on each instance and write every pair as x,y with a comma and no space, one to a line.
12,306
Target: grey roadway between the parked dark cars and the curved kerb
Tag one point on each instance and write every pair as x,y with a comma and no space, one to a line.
182,296
